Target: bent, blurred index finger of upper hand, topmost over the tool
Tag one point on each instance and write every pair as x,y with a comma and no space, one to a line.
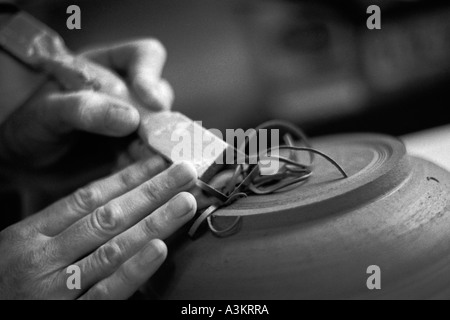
142,62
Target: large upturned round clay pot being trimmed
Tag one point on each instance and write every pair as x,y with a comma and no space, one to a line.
318,240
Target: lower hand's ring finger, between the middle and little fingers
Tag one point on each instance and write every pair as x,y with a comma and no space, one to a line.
159,225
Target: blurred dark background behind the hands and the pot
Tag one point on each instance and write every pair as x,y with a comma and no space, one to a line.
235,63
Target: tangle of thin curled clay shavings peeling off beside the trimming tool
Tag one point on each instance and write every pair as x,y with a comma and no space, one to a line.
247,178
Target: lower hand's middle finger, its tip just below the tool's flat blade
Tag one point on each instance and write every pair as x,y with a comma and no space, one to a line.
106,222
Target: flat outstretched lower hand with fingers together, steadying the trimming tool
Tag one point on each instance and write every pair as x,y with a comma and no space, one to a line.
110,230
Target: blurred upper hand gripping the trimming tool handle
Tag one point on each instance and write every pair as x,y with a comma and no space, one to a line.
38,133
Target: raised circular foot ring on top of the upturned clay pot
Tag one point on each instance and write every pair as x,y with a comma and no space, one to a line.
374,163
